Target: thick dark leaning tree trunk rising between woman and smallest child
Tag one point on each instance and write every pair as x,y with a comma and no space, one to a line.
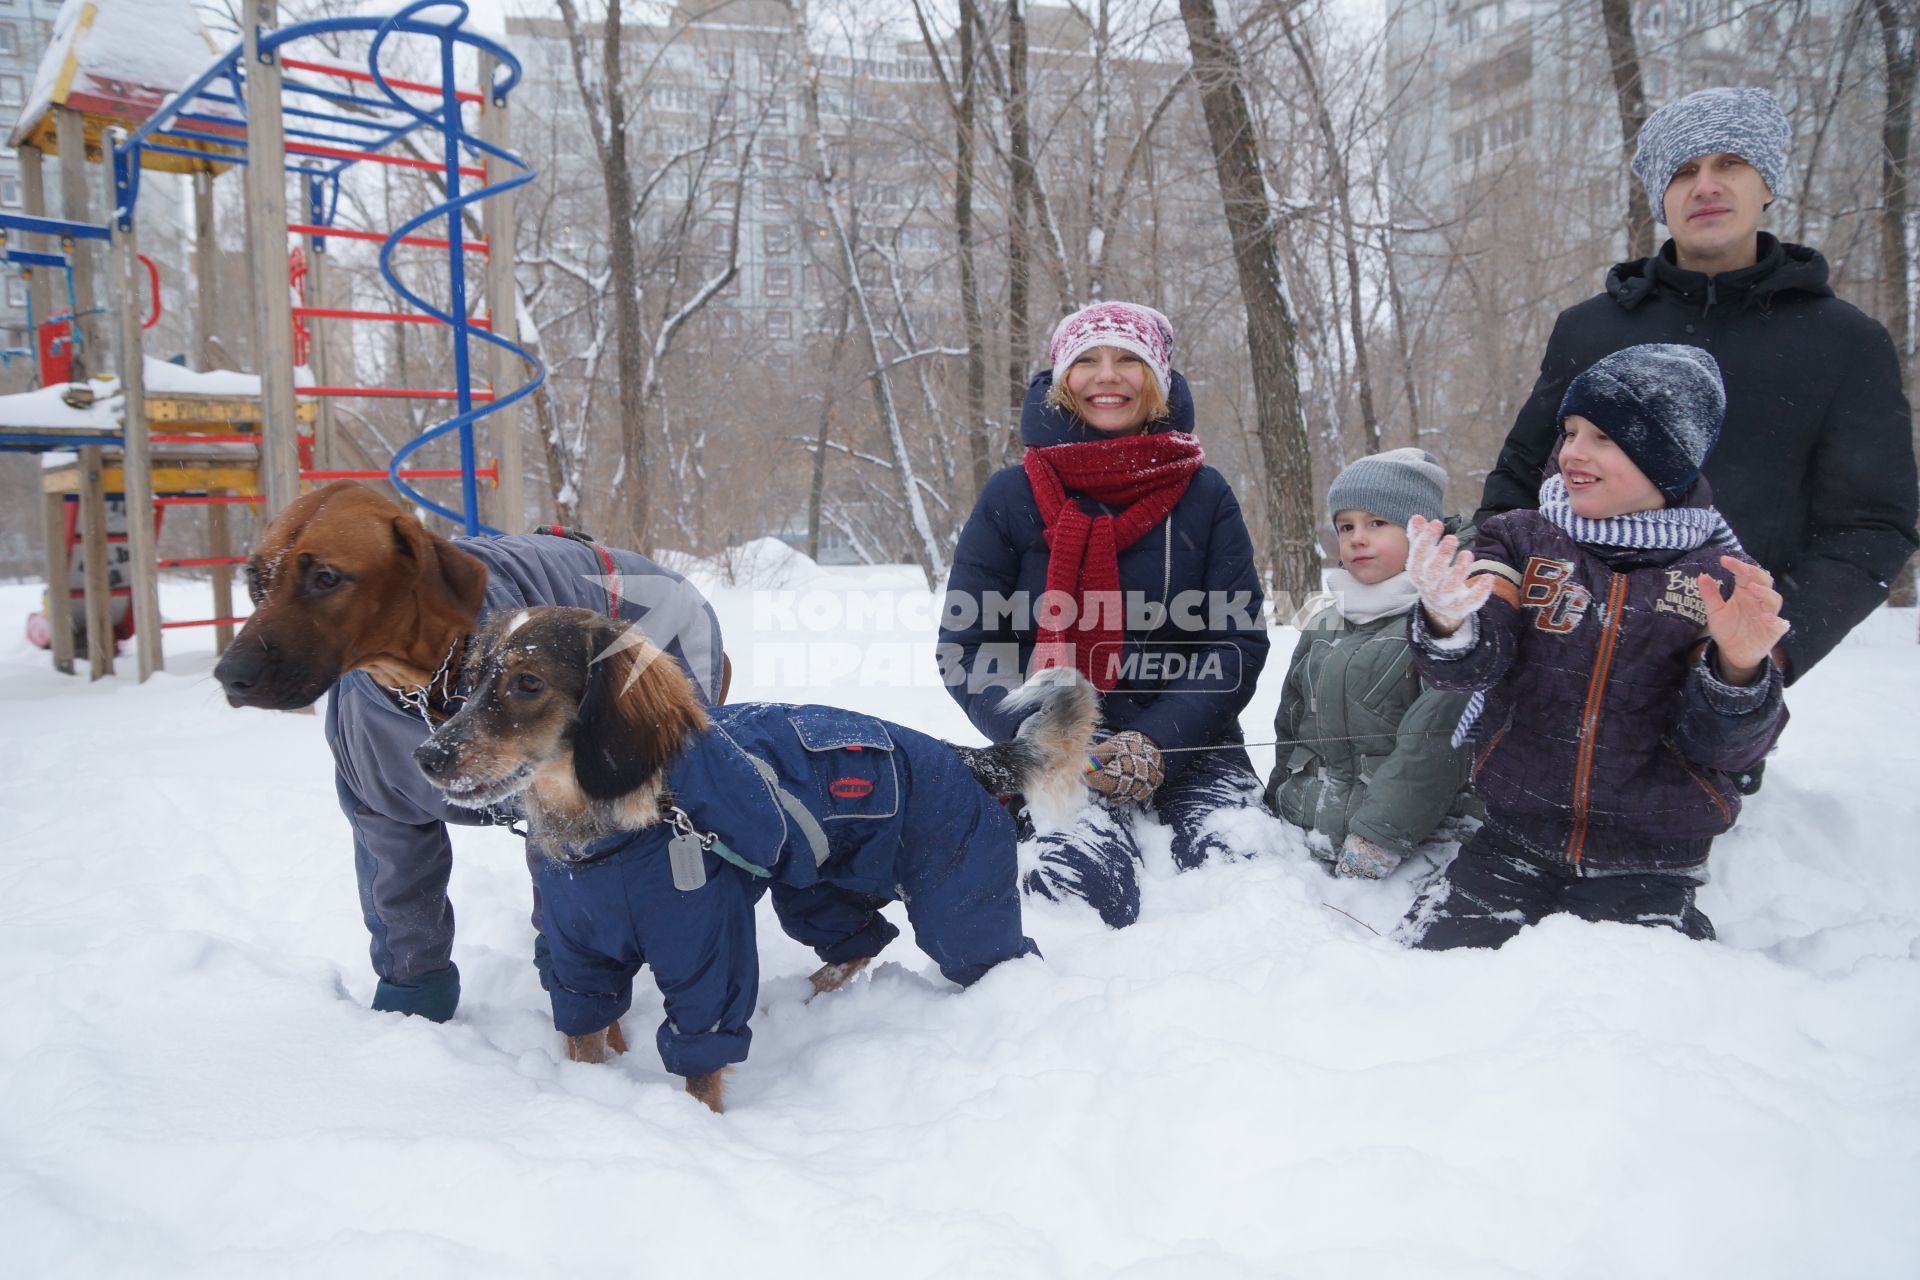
1270,325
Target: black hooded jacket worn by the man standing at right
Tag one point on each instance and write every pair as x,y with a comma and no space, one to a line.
1815,467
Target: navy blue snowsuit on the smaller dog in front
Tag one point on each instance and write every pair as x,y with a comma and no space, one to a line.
836,815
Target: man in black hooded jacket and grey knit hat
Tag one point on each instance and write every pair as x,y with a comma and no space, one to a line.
1815,469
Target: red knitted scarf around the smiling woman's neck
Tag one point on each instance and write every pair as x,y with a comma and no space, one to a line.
1145,477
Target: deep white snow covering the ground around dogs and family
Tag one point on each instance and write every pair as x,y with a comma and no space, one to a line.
1249,1083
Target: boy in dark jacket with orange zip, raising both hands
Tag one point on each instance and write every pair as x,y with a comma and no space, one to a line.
1618,646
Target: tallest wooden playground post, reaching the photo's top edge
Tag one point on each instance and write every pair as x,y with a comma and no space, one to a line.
274,310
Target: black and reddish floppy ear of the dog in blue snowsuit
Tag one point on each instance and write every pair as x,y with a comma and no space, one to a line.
636,709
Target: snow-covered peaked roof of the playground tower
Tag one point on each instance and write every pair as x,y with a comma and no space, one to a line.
114,62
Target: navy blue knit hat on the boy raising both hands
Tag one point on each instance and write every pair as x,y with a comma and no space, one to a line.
1664,404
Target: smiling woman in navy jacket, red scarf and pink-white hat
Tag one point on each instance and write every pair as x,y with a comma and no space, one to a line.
1115,550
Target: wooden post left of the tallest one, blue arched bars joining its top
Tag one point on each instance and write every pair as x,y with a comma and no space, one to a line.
137,460
